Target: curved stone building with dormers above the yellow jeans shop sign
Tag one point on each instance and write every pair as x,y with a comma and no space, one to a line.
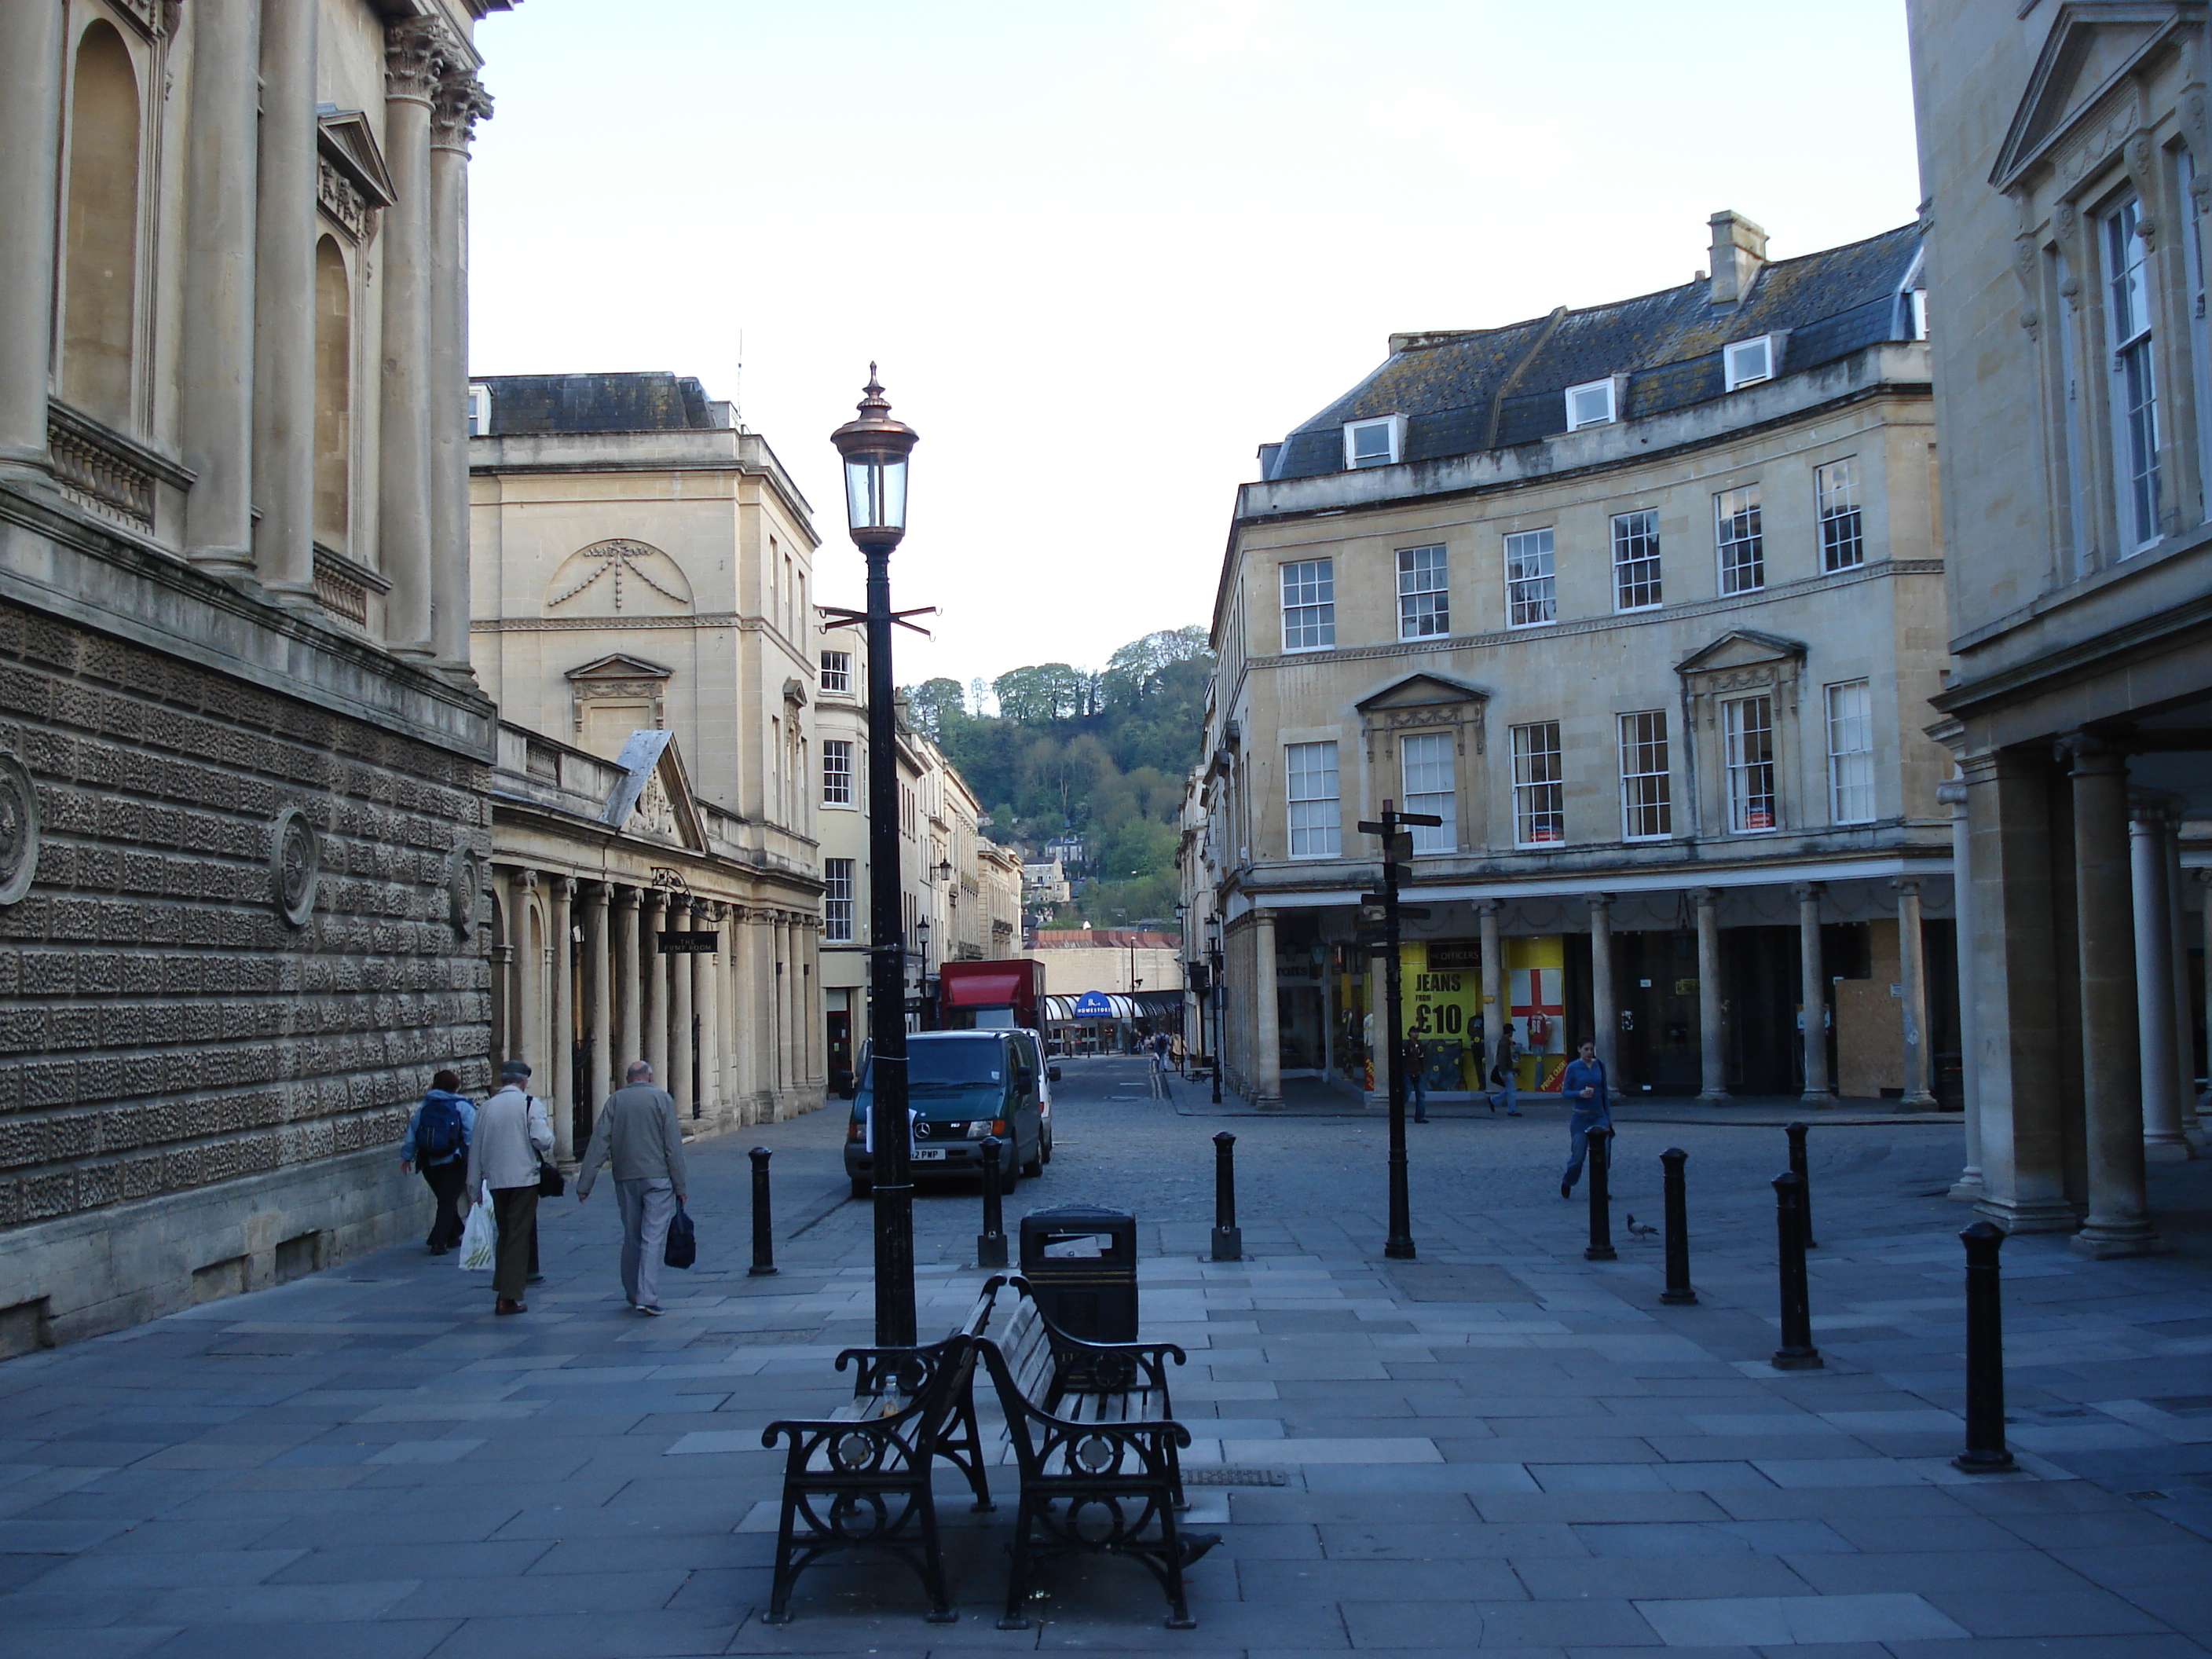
1642,603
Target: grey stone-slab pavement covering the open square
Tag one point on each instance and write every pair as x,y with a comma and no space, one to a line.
1503,1448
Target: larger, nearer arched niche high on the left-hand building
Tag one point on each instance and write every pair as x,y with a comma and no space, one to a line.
103,229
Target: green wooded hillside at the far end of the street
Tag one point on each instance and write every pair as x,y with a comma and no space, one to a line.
1100,755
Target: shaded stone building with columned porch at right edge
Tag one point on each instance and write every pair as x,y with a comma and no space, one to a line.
2067,160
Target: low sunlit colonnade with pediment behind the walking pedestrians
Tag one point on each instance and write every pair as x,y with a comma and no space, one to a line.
583,988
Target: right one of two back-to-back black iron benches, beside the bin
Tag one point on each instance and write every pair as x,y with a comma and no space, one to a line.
1098,1454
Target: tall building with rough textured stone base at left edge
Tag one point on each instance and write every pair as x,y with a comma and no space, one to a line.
242,758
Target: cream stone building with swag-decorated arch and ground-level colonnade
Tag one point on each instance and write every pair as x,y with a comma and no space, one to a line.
645,620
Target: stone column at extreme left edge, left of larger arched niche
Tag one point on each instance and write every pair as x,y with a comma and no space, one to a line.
30,211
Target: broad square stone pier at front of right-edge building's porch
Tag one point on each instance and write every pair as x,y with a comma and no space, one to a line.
2016,992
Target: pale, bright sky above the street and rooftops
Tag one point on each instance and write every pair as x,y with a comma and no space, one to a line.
1105,251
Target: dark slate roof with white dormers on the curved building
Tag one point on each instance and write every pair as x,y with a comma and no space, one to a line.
1669,346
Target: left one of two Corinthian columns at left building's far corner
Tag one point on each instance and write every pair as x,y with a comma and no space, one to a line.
415,61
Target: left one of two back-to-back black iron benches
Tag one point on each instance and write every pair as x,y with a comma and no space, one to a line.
862,1477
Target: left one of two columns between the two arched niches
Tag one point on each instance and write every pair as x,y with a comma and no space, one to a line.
216,379
